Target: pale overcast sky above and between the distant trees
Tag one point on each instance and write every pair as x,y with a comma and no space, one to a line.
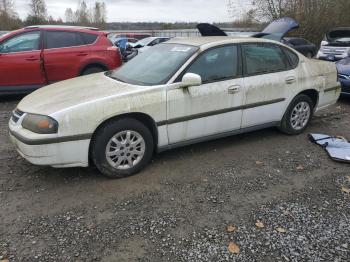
145,10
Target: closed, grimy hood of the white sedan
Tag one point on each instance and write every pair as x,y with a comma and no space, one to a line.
74,92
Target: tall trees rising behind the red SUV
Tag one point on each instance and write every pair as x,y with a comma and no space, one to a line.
37,14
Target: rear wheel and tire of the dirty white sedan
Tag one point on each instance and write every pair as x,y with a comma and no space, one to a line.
301,109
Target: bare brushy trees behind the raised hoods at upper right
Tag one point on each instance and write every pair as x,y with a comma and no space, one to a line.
316,17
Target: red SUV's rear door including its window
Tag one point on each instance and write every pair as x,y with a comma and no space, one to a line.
64,54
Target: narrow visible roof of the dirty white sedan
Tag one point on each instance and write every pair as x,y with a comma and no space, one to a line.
215,40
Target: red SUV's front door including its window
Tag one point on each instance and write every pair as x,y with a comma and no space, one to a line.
20,61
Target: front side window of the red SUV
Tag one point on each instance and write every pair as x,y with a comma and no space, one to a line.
21,43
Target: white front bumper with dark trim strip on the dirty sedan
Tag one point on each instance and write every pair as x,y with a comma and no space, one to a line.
45,151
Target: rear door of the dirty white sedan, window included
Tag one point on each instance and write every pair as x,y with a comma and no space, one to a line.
269,82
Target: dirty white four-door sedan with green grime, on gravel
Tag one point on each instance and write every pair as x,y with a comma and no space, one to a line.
177,93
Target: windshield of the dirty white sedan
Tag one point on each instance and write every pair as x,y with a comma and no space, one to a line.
155,66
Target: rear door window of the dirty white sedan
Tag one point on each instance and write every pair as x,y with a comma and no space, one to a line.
263,59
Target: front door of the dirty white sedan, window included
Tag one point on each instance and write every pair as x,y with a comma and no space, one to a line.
213,108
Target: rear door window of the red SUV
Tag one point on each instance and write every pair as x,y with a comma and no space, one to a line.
59,39
